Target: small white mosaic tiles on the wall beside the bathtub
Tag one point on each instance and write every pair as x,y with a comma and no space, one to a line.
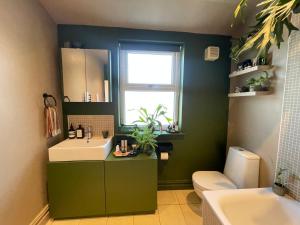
289,144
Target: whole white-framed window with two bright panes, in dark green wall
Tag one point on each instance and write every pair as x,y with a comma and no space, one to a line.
148,78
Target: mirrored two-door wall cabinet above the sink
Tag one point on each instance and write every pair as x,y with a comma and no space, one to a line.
86,75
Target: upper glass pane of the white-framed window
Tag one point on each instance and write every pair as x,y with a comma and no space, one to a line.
148,68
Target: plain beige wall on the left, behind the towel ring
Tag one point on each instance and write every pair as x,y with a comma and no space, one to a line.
28,67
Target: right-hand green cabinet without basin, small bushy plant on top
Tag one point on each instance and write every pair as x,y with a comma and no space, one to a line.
131,184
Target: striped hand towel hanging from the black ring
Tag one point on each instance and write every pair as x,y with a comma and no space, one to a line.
52,122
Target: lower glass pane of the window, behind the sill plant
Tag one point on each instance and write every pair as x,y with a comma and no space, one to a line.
148,100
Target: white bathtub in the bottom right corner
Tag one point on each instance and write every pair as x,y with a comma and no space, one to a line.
259,206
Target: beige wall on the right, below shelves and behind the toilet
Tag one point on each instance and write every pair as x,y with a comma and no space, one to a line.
254,122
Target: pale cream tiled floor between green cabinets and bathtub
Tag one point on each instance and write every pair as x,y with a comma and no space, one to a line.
175,207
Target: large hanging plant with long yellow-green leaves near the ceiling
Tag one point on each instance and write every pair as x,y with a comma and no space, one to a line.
268,30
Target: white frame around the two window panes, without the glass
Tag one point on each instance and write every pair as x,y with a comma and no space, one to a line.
175,85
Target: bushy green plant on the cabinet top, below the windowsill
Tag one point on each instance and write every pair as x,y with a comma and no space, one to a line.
145,139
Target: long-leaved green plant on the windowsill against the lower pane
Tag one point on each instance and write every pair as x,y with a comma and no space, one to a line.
152,120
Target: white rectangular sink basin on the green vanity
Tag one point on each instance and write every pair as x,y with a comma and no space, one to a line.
80,149
